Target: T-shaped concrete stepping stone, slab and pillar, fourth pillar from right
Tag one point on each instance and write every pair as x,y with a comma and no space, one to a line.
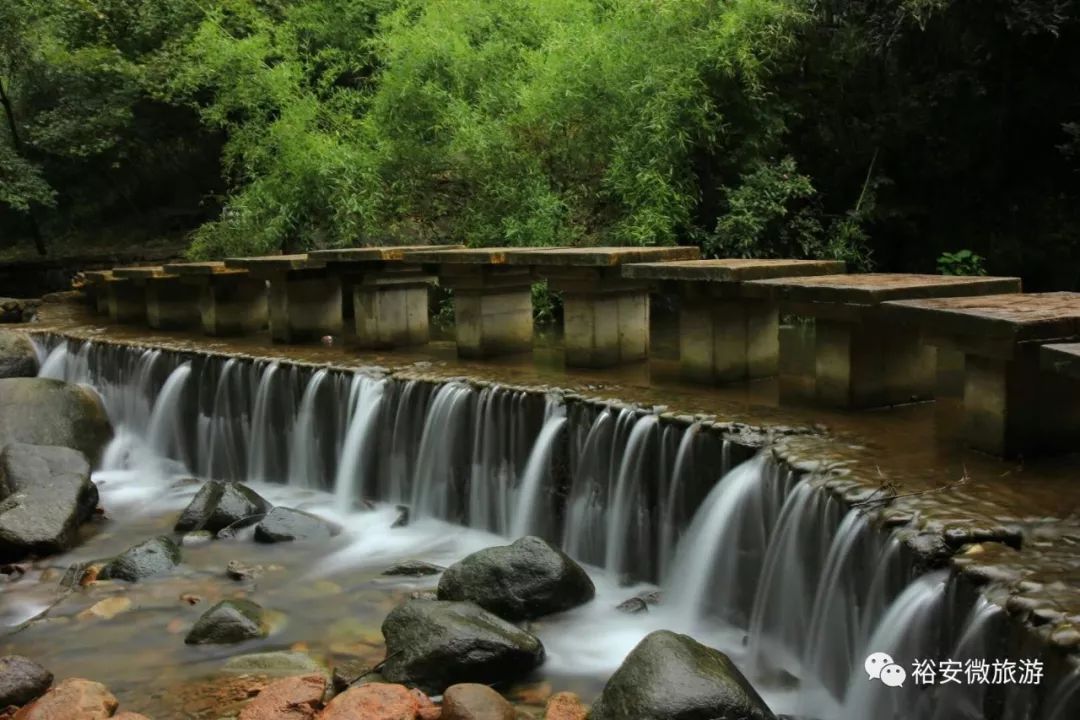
606,316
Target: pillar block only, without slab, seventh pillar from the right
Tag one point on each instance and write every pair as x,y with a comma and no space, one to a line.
305,307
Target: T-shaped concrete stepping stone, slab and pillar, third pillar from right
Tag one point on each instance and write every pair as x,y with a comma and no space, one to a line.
725,336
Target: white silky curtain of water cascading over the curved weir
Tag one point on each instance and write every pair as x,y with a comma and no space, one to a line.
747,552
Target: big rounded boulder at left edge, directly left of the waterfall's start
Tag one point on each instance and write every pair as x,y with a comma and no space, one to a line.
44,412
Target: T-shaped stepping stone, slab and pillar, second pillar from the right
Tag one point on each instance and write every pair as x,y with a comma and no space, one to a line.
862,361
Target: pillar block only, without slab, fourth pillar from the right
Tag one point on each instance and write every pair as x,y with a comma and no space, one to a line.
603,330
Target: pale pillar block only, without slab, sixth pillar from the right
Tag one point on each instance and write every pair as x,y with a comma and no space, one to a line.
391,315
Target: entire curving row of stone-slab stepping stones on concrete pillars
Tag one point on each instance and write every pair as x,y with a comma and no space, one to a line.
879,339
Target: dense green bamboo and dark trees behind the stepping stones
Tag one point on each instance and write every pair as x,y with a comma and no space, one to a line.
895,133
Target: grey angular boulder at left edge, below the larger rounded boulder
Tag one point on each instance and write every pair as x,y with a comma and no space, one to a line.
47,496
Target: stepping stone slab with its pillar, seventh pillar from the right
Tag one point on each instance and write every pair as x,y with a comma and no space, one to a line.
305,300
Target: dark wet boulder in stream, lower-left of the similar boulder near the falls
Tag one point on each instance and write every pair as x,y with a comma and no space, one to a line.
435,645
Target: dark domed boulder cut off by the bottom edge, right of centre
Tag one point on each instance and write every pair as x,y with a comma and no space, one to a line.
674,677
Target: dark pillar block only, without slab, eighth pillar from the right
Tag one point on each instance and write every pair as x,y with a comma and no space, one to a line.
233,304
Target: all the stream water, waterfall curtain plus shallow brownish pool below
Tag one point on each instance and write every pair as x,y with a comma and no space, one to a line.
749,558
